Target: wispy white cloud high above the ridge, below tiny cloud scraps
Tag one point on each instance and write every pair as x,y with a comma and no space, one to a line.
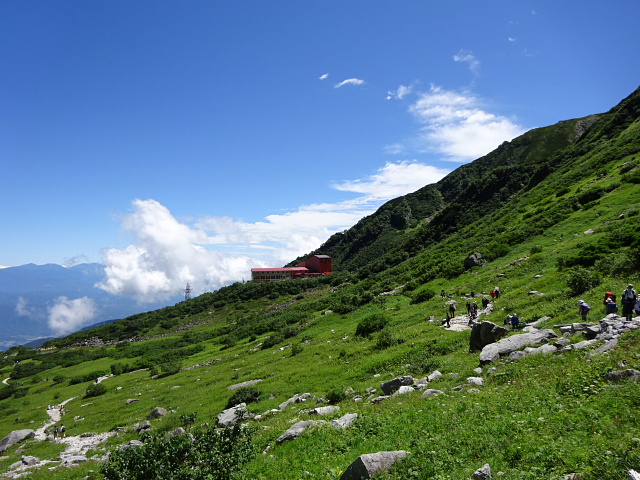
456,124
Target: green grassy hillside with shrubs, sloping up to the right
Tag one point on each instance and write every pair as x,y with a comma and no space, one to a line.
555,216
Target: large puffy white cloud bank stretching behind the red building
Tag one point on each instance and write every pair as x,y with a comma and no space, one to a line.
166,254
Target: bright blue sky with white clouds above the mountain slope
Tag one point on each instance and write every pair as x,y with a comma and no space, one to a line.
185,142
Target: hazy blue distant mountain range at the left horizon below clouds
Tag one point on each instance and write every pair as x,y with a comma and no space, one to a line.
29,292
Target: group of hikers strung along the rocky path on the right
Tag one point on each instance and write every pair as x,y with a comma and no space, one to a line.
630,300
